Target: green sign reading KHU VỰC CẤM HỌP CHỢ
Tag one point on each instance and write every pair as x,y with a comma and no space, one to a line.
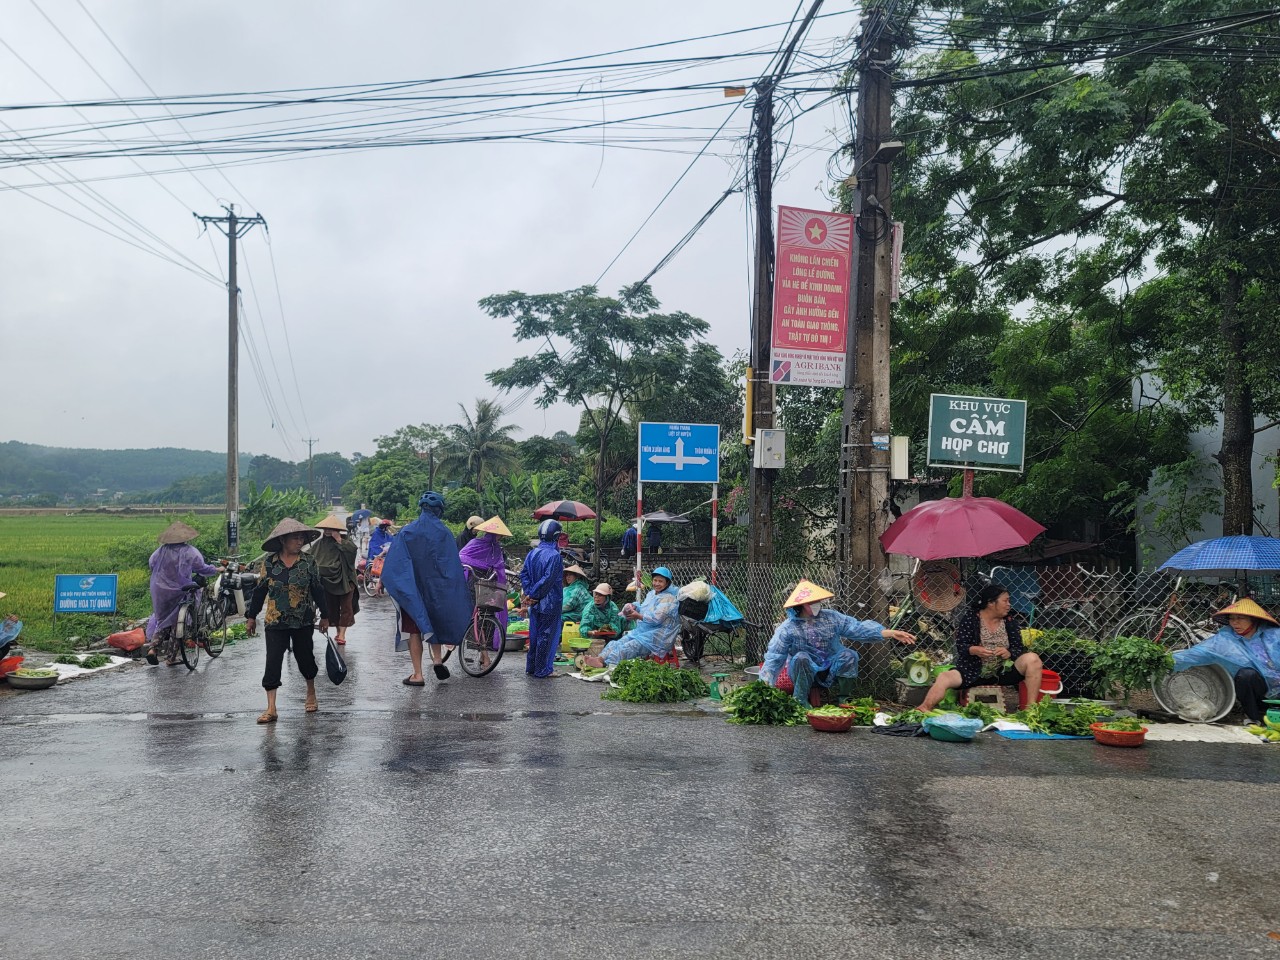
977,433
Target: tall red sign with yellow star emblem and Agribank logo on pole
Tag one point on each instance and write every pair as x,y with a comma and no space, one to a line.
811,298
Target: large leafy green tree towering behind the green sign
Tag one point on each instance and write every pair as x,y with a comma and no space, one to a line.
1090,181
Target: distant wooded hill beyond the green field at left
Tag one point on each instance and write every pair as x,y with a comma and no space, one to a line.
28,469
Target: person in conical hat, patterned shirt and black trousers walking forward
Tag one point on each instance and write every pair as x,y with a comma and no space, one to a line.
289,587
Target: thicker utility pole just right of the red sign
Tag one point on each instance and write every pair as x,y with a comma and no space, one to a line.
863,468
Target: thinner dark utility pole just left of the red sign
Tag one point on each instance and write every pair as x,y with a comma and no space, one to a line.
760,547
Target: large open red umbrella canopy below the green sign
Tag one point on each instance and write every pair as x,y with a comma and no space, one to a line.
966,527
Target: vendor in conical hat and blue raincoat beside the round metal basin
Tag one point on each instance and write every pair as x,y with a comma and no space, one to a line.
1249,647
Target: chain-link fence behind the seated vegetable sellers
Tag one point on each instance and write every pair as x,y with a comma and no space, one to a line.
1067,609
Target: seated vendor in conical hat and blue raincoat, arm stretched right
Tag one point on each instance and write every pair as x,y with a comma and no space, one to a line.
808,644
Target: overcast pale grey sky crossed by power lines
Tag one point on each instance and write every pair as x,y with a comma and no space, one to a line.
360,304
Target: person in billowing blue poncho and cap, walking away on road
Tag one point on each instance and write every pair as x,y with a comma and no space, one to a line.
424,577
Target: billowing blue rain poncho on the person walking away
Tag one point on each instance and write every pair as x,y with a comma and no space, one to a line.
424,577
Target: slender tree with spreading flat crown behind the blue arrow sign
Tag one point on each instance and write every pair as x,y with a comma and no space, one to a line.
596,353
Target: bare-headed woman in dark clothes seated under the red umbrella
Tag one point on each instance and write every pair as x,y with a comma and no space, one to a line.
986,639
